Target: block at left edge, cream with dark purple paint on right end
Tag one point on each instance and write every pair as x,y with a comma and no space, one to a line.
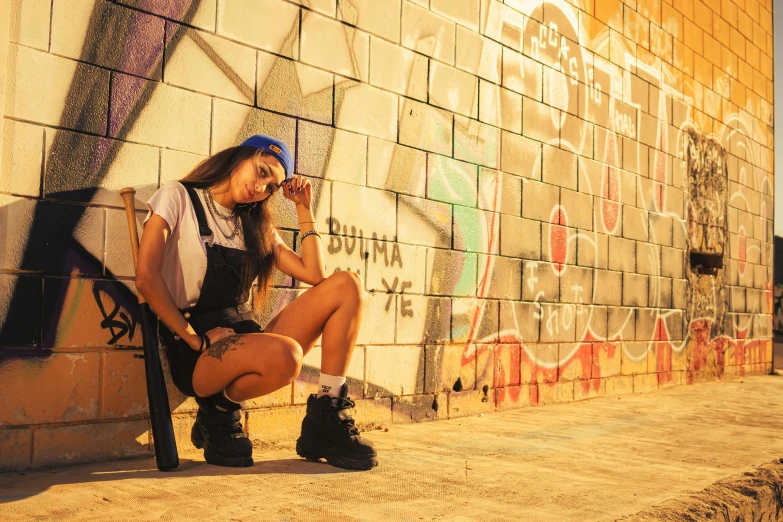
39,89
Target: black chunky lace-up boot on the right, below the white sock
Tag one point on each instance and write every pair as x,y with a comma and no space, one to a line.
328,432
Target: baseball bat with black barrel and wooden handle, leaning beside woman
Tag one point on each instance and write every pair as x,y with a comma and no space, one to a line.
166,454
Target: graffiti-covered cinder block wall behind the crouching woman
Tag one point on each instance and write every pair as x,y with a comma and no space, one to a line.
547,201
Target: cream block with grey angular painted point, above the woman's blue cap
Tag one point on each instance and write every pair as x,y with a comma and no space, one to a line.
294,88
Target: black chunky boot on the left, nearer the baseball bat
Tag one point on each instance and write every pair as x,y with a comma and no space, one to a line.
218,431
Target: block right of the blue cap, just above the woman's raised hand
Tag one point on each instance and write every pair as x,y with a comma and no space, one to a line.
323,151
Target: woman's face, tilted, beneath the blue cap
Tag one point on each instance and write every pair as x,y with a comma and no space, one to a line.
256,179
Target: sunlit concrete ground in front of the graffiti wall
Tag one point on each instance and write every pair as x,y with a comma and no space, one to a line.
597,460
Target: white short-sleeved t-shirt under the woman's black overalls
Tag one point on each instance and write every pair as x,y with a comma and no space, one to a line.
185,263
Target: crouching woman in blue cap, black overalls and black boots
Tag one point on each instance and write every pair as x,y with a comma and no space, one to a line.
206,239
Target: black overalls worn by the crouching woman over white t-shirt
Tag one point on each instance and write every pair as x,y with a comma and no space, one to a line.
223,301
